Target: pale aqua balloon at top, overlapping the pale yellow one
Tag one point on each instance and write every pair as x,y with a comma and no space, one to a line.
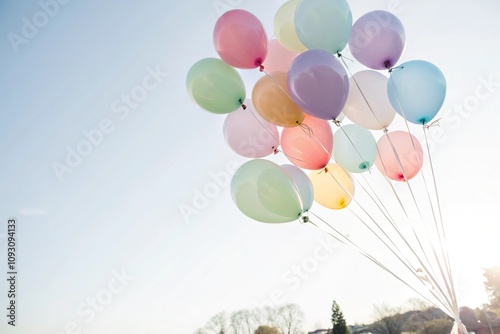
323,24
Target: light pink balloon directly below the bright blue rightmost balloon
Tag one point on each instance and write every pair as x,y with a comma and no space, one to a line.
396,149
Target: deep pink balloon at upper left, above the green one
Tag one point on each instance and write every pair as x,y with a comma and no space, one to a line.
240,39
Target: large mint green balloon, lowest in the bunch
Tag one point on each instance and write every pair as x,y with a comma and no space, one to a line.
265,192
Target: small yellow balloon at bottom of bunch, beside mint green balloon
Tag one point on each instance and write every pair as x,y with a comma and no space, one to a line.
333,187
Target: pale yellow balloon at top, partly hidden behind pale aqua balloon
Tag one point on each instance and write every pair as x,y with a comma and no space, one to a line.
284,28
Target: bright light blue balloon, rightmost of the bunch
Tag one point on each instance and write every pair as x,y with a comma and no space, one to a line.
417,90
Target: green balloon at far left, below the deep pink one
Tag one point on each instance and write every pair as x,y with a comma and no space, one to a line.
215,86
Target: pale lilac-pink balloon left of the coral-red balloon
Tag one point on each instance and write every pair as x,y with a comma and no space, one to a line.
248,134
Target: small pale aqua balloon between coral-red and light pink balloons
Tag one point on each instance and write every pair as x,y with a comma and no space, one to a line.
354,148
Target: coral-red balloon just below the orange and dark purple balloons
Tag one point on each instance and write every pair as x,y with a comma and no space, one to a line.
310,144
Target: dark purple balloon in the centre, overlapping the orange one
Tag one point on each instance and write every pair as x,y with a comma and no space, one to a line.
318,83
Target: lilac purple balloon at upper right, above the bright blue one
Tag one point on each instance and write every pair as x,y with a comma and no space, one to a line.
377,40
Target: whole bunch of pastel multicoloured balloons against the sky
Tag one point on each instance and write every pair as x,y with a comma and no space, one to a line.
303,95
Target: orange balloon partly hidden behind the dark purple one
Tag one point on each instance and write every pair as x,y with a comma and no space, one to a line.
272,101
